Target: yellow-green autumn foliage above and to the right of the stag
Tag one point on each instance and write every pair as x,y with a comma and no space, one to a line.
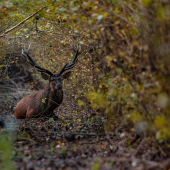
124,67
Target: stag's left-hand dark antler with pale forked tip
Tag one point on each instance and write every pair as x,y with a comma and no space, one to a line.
33,63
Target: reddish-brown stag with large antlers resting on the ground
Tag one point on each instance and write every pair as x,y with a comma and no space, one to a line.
45,101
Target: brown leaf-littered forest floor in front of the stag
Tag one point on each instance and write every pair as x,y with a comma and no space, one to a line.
78,140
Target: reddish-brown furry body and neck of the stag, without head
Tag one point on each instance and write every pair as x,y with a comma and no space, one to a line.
32,105
